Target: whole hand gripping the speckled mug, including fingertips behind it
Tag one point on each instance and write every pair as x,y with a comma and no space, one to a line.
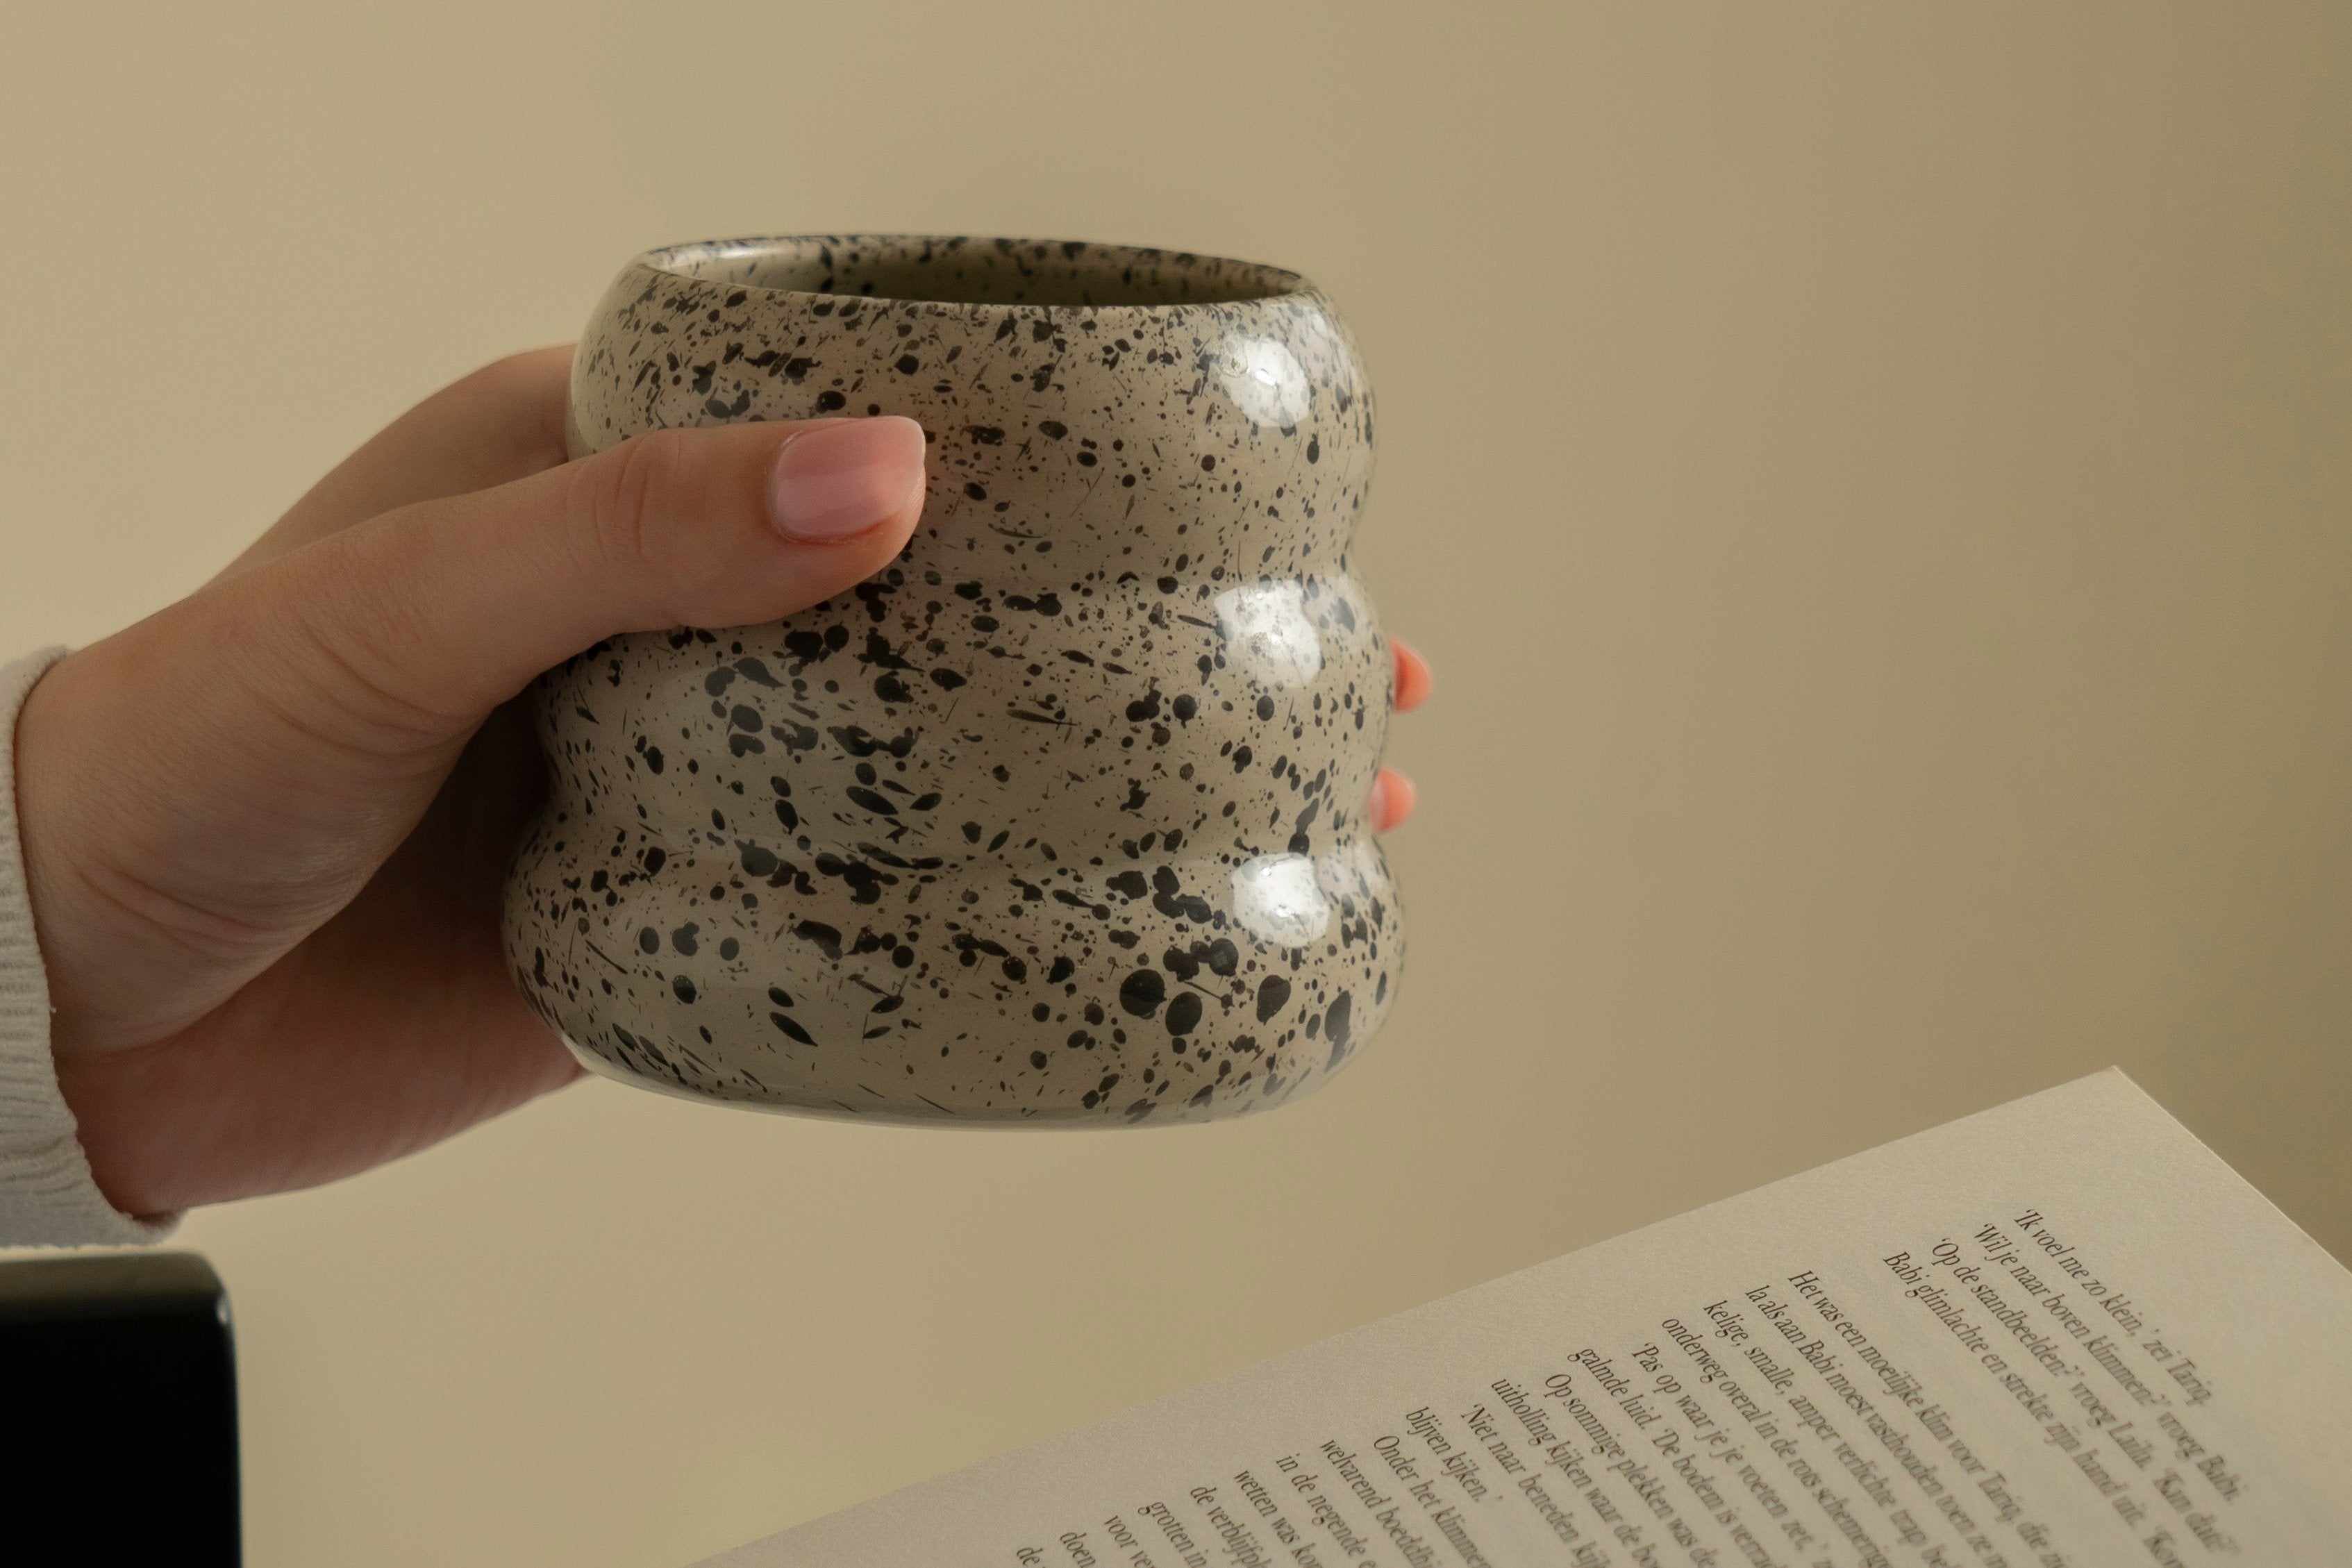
267,829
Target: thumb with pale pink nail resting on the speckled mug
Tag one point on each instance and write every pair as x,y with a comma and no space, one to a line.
420,622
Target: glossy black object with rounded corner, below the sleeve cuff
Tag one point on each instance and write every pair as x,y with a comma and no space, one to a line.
119,1412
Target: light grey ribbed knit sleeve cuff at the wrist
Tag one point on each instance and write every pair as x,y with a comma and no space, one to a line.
48,1195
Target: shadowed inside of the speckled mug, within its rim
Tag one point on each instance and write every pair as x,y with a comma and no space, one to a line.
965,272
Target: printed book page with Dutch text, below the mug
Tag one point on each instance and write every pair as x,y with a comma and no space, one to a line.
2052,1334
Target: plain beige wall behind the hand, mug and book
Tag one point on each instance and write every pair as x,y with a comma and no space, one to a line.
1873,483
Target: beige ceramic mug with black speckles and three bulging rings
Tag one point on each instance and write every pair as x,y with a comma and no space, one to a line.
1060,819
